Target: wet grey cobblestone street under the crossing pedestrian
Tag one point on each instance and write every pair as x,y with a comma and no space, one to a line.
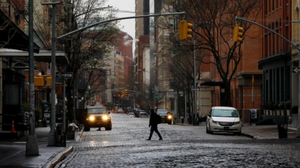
182,146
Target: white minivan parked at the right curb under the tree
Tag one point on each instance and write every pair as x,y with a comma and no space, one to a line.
223,119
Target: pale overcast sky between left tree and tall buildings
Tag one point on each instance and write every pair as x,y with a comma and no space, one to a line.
127,25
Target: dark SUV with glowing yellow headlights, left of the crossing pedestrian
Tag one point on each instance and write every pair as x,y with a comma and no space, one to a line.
97,116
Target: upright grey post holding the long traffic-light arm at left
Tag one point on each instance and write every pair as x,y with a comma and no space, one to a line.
51,136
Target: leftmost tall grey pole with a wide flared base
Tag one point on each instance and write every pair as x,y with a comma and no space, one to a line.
31,143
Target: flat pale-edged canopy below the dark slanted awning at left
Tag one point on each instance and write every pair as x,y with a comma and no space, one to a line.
42,56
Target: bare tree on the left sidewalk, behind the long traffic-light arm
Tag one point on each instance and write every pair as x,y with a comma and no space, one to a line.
87,47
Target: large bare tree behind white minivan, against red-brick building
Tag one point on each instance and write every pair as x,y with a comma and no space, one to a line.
213,22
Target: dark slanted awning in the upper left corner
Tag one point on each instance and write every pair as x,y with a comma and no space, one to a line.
11,36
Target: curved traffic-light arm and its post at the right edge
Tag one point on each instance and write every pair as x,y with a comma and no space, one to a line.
297,47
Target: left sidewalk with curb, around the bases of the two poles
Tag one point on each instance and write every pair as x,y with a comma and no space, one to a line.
12,152
